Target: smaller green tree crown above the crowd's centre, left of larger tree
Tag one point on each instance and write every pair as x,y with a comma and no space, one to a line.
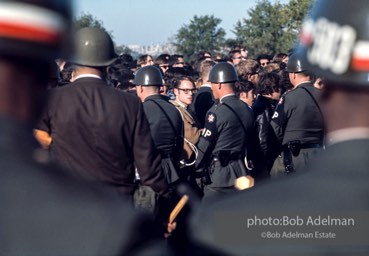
201,34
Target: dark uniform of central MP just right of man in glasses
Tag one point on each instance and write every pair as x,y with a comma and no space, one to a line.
223,133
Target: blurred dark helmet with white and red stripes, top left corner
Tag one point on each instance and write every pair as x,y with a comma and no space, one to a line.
35,29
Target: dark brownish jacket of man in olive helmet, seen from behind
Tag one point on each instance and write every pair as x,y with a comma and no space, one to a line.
103,133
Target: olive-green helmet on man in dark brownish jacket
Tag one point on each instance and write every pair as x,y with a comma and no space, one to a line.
94,48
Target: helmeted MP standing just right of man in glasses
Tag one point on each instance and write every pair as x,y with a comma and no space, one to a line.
225,136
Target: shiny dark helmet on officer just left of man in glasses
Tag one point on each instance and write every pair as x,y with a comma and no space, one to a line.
148,76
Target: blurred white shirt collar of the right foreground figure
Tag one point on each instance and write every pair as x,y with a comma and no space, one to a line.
346,134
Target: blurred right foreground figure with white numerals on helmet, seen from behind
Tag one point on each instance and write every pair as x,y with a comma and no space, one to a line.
336,184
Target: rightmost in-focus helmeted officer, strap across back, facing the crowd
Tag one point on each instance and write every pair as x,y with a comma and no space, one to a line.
297,120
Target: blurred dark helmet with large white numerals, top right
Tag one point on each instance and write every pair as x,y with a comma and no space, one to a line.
335,42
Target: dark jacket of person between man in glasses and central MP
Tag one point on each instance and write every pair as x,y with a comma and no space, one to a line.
203,100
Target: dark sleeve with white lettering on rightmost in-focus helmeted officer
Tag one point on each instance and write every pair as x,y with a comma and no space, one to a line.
280,118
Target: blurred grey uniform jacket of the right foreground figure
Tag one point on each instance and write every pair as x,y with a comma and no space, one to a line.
335,185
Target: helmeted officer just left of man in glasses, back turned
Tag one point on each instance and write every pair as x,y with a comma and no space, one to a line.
165,121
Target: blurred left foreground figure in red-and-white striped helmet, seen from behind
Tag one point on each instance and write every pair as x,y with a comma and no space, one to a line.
45,210
